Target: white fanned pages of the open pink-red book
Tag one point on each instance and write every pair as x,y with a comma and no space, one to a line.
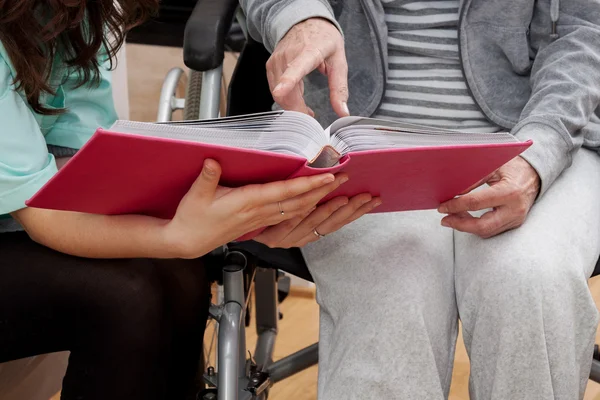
293,133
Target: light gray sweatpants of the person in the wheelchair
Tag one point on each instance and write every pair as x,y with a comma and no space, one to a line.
391,288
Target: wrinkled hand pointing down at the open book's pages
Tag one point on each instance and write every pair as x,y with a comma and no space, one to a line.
311,44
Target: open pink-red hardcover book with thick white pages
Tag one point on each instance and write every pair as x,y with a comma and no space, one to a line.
146,168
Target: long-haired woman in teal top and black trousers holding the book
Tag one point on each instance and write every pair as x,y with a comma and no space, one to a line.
126,295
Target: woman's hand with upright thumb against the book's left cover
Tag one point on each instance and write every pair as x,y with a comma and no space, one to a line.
209,215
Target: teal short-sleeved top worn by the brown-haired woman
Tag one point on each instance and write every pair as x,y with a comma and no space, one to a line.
26,161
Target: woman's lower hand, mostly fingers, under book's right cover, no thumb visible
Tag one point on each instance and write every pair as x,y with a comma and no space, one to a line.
325,219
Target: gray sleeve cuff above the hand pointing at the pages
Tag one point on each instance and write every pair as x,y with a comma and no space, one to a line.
293,14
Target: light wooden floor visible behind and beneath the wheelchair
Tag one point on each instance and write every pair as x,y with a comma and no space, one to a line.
299,328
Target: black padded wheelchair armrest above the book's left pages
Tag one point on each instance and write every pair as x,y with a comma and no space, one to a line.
205,33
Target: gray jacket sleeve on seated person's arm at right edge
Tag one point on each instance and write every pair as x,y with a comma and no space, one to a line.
564,89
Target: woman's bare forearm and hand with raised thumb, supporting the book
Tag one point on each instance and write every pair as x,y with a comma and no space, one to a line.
207,217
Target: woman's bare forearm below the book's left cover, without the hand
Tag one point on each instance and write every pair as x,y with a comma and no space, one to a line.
98,236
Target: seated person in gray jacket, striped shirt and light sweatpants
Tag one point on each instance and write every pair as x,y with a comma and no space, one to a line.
510,259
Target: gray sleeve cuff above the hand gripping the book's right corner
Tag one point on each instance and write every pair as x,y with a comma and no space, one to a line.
550,153
